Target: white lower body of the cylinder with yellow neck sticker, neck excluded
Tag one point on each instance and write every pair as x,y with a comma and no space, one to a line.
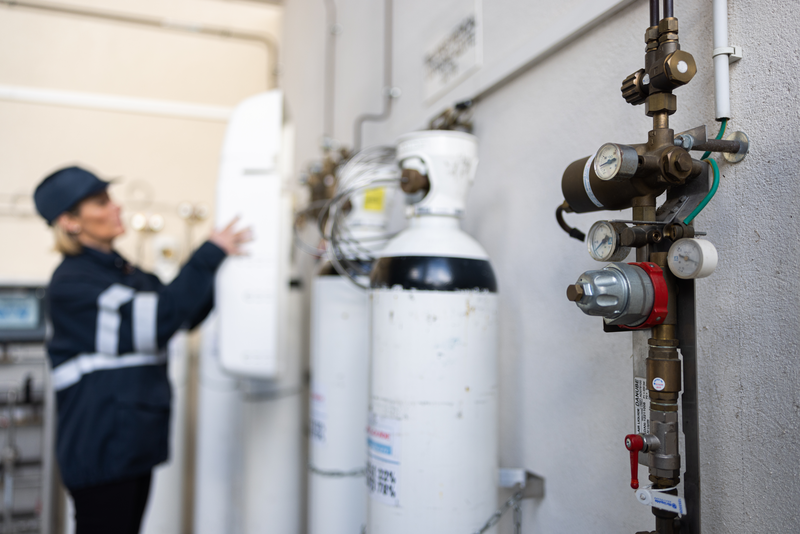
339,384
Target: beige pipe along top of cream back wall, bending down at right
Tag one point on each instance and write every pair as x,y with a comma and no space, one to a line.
267,40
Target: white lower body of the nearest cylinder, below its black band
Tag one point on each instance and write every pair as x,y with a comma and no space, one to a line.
432,435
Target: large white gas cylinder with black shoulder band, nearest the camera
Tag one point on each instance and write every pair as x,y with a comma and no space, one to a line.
432,434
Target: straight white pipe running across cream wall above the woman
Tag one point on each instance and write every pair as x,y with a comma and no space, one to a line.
166,108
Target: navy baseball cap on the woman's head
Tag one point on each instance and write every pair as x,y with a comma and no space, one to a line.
63,189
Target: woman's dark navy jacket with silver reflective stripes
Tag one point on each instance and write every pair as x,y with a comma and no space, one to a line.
111,325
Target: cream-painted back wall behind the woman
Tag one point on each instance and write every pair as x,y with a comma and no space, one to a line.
171,160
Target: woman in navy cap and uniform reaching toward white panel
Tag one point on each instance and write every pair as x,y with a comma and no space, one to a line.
111,325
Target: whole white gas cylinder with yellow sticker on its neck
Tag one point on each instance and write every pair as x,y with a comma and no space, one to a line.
340,361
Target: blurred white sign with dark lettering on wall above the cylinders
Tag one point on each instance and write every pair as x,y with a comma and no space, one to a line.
454,56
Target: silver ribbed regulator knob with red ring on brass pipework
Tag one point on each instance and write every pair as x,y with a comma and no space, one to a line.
629,295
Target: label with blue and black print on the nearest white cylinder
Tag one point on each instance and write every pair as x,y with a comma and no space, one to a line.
383,466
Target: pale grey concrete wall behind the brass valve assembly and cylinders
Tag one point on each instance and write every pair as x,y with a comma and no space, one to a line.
566,387
